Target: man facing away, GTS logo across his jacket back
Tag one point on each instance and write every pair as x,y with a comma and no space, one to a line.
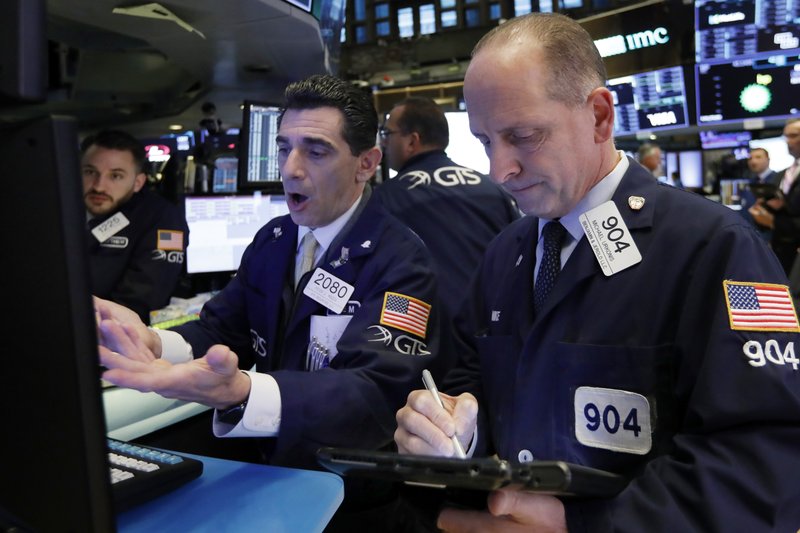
455,210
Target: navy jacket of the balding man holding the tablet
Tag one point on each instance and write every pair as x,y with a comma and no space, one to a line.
724,403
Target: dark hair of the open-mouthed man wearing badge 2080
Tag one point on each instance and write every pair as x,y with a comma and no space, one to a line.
321,90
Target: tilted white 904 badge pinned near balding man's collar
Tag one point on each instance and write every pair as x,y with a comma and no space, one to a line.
609,238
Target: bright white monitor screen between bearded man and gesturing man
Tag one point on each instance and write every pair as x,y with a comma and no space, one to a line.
221,227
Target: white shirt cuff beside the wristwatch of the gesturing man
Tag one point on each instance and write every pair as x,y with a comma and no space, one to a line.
262,416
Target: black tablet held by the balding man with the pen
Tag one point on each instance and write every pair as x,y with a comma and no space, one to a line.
549,477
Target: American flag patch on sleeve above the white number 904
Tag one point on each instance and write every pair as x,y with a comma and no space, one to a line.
760,307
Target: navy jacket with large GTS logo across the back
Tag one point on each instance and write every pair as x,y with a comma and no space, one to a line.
455,210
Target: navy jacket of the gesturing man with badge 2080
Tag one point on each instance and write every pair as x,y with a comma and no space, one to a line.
353,402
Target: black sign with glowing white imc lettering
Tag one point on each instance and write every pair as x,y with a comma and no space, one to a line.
644,38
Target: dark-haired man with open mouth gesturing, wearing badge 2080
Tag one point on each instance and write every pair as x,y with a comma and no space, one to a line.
335,303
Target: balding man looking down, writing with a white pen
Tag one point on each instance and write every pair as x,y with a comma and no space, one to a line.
621,325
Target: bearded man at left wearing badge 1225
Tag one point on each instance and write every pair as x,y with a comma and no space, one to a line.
137,239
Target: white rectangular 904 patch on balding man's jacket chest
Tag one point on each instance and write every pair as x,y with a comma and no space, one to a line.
613,419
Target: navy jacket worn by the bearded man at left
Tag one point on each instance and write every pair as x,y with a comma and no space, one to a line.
135,267
